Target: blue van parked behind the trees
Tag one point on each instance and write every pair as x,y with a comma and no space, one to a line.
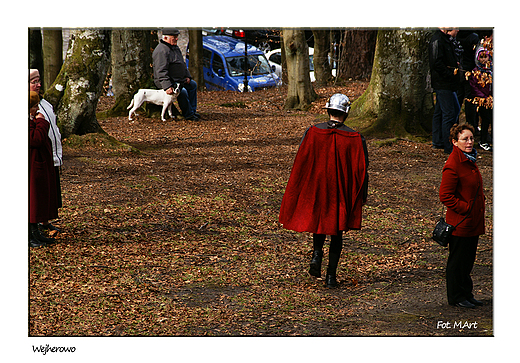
223,60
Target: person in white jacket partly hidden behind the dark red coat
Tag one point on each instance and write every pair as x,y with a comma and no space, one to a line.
47,111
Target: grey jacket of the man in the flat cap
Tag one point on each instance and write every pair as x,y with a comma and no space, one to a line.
168,66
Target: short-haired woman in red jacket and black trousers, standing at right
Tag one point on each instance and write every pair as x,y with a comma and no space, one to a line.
462,193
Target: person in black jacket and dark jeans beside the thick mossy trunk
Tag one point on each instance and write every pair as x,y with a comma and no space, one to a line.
444,69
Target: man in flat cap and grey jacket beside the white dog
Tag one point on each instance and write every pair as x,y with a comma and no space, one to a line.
169,68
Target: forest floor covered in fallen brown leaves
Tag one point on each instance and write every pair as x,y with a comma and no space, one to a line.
181,238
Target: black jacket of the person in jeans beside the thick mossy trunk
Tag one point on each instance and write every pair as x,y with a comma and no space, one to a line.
443,62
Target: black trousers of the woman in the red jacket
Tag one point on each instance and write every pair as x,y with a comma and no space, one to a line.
463,251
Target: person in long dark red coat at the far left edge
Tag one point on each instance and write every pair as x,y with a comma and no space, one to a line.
42,181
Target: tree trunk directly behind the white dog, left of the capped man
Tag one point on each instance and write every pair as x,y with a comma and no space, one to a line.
131,66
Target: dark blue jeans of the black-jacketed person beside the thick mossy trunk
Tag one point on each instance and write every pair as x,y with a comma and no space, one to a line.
445,115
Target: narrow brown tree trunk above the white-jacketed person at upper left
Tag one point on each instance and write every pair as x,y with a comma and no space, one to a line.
52,55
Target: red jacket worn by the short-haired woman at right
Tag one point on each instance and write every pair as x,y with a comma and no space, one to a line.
460,181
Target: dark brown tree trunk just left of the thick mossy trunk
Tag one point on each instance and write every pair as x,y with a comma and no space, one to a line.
357,54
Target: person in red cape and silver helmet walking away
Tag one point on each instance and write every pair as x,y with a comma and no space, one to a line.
328,185
